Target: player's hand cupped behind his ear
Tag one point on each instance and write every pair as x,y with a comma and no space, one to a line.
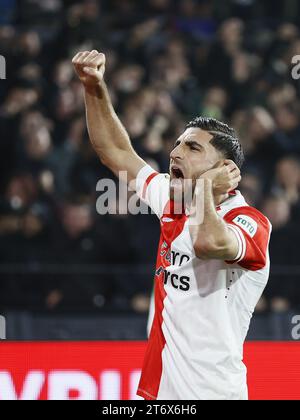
225,177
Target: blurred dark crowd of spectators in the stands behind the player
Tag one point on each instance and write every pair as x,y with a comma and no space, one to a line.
167,62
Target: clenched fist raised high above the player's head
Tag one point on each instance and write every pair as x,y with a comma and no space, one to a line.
90,67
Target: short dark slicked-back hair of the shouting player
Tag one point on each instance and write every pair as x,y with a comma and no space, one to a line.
224,138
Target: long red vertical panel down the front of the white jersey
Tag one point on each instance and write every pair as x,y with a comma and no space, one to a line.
152,367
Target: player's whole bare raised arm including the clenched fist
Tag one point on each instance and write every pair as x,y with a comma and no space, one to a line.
107,134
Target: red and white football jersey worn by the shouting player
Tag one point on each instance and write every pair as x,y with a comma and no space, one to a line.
203,308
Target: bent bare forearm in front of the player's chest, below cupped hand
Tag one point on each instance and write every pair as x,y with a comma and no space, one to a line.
210,234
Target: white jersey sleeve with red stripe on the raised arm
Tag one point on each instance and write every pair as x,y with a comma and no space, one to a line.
153,189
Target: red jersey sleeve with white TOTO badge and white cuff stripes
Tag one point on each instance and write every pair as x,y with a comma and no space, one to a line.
252,230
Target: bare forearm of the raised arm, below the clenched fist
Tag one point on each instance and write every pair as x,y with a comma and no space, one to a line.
106,132
